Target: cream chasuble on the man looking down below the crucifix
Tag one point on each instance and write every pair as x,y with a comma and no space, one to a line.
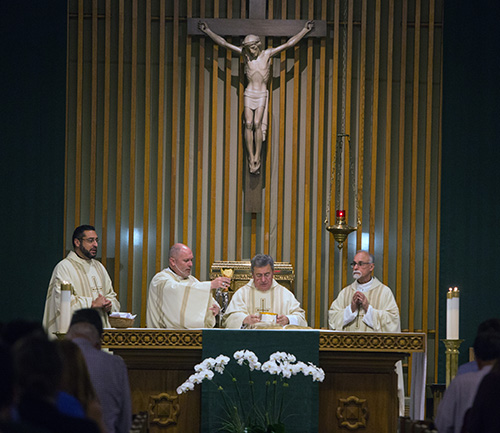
249,300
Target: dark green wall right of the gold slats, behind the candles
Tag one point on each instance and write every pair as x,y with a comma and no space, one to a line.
470,209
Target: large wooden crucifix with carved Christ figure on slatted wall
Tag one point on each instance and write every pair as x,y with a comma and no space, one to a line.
257,62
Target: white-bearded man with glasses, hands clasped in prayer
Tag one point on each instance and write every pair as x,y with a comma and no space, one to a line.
367,305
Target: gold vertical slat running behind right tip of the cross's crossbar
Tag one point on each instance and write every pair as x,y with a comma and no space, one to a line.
320,175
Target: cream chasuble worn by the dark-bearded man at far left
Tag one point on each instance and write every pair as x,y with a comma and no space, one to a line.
88,278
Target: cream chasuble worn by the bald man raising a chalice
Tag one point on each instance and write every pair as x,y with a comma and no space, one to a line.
179,303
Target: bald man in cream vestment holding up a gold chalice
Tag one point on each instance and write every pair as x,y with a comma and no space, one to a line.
177,300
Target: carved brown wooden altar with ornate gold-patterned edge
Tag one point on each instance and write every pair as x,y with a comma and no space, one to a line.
359,392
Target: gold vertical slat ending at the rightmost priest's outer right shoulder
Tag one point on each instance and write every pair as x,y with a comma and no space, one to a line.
401,154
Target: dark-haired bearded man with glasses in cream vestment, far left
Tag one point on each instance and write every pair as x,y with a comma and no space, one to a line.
91,285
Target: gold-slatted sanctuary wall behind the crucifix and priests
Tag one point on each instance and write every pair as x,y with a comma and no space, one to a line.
154,150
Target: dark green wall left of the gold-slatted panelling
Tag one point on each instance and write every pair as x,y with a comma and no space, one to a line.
32,101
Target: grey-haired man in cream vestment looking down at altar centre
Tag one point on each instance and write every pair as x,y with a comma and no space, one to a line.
263,294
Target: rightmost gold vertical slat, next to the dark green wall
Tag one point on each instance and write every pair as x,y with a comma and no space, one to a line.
428,166
